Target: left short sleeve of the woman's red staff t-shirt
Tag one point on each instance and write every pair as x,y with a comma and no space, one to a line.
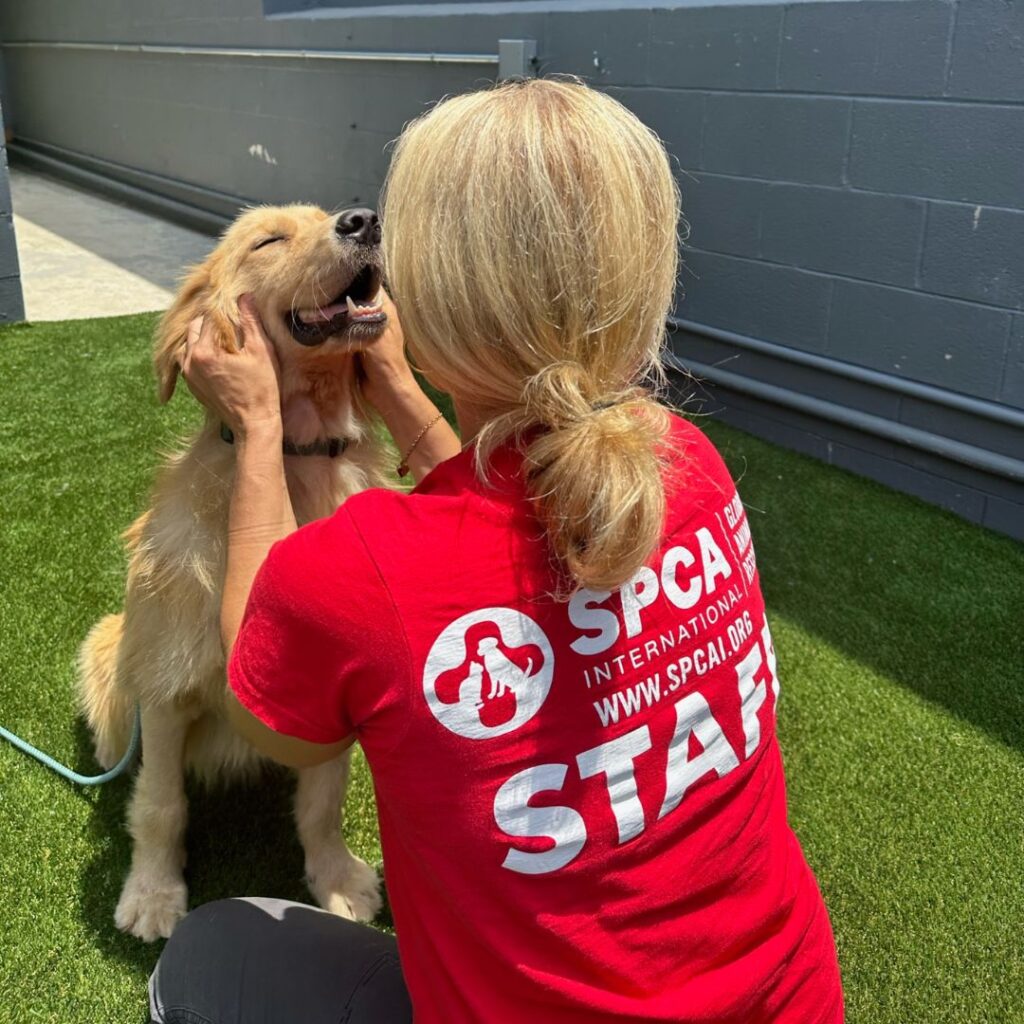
320,635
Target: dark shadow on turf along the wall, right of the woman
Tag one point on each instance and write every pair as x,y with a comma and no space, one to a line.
921,596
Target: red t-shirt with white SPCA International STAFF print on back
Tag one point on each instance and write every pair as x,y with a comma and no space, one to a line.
582,805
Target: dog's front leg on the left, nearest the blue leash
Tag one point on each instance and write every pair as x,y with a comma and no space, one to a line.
154,897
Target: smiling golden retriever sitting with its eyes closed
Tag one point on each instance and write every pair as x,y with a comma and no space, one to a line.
317,283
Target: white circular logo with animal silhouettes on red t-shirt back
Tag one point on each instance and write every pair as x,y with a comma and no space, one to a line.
489,673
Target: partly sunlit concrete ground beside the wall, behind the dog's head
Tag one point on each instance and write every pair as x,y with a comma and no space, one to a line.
86,257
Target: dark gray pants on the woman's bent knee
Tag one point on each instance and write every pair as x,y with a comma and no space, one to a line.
271,962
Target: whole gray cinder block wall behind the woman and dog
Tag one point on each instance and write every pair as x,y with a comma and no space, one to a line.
852,170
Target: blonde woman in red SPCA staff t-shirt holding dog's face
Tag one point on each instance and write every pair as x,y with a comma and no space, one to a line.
553,652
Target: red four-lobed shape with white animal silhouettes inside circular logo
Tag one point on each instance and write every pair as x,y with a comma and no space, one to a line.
492,676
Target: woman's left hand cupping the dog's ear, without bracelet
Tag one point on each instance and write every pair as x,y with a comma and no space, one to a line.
240,388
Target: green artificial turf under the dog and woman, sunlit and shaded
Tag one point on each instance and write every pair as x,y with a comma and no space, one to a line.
899,633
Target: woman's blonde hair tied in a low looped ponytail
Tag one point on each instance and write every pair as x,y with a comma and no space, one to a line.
531,245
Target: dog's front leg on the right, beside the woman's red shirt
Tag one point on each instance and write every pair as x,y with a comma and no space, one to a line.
342,882
